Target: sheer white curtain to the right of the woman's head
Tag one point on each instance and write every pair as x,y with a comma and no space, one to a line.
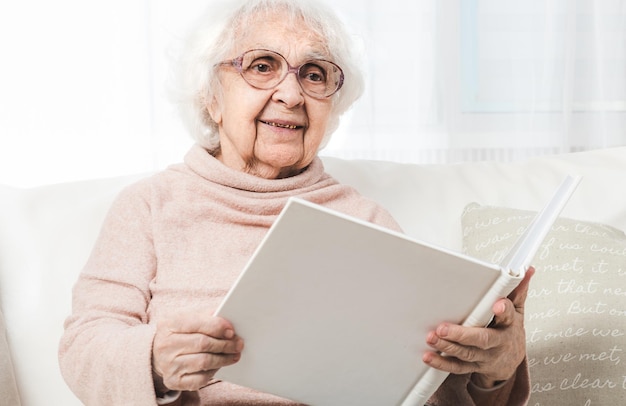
457,80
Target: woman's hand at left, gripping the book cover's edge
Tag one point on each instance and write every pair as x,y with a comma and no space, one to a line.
189,349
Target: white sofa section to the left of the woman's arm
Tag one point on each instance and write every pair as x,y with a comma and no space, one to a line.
46,236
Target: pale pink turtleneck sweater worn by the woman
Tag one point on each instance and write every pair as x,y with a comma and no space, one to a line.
177,240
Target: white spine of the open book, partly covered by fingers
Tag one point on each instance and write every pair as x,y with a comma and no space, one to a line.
479,317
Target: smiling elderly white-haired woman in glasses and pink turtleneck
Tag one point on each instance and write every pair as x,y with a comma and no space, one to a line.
262,87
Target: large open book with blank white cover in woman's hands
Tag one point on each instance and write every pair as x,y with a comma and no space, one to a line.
334,310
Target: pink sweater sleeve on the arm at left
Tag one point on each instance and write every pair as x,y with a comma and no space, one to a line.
105,351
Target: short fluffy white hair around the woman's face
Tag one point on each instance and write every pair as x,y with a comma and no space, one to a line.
195,80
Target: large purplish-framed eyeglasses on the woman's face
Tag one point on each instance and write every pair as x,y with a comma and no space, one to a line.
265,69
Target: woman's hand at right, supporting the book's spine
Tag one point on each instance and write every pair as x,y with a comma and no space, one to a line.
491,354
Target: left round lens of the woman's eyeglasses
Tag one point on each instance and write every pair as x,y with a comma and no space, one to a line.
263,69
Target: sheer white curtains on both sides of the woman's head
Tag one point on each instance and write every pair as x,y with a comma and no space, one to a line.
82,84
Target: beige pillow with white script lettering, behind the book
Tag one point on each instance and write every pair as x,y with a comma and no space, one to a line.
576,306
